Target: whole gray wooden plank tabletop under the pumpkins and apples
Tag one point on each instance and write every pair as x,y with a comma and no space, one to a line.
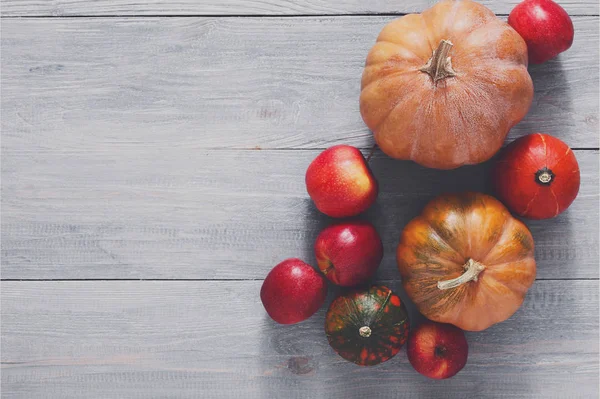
153,159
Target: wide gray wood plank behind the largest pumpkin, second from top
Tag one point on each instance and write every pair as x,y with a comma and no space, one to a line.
82,83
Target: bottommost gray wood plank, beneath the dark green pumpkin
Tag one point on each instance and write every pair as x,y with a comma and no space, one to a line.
213,339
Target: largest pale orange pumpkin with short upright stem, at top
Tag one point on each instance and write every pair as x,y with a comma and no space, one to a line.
444,87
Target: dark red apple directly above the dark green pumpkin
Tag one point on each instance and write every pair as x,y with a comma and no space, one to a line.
349,253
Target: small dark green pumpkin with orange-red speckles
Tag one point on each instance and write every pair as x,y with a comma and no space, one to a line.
367,326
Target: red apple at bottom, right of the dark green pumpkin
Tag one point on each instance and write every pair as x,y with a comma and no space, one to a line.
437,350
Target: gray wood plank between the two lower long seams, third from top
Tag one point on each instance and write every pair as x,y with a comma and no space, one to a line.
143,211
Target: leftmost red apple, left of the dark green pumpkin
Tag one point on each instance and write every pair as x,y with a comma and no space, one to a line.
293,291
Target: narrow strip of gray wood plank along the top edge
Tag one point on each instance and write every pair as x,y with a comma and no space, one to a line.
250,7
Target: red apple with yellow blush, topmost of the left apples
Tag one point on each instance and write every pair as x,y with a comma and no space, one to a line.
340,182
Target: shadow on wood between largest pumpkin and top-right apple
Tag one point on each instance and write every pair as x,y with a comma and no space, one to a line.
551,96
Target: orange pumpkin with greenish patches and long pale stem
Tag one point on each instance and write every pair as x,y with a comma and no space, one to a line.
466,261
